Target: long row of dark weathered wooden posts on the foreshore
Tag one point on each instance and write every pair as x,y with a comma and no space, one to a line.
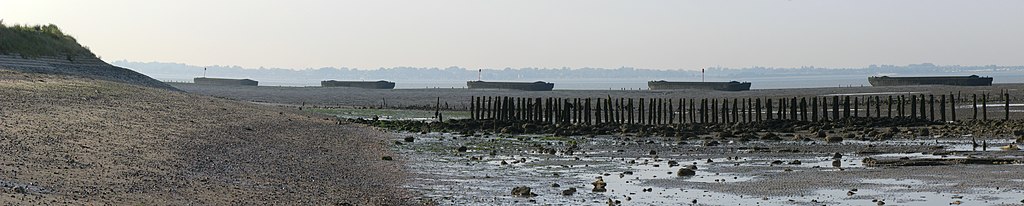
672,111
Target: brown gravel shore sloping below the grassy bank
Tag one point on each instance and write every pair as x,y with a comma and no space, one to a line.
82,142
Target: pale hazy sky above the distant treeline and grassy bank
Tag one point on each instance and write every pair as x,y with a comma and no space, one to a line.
656,34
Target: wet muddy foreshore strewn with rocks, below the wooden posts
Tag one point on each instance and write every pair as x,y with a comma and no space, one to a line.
861,161
